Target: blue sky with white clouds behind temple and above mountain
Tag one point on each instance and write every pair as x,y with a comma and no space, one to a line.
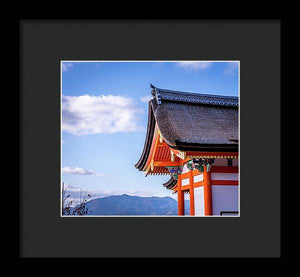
104,118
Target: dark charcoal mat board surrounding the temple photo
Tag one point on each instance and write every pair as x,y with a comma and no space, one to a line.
43,43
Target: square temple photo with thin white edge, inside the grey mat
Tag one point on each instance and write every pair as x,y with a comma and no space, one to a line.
188,140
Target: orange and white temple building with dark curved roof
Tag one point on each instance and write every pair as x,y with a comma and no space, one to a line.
194,138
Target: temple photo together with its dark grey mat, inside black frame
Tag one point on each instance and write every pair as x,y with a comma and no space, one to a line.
137,134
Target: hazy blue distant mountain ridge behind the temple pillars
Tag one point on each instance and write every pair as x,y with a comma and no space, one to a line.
133,205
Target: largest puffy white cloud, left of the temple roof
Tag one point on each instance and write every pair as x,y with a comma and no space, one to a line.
88,114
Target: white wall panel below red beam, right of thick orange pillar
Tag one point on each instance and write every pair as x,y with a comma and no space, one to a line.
224,198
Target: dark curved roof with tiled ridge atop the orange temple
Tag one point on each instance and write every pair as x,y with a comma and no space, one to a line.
192,122
